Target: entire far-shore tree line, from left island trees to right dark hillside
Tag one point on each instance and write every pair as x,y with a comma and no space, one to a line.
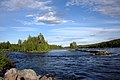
38,44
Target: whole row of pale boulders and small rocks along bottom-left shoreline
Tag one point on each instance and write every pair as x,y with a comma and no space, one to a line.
25,74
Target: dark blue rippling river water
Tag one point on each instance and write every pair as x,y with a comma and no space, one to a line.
71,65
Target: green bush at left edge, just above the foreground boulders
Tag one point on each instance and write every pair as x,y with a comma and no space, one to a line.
4,62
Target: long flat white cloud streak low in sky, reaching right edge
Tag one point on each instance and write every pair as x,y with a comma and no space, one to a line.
85,31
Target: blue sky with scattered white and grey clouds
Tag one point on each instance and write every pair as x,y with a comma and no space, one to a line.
60,21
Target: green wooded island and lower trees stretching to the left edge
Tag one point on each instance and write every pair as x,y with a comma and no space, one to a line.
31,45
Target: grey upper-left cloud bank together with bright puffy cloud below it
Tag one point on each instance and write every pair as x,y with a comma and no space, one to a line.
45,13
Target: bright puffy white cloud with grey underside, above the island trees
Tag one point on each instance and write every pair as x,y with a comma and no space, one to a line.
47,18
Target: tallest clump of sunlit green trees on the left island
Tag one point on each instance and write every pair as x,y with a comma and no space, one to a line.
35,44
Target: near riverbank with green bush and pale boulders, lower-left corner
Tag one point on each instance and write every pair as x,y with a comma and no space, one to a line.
9,72
